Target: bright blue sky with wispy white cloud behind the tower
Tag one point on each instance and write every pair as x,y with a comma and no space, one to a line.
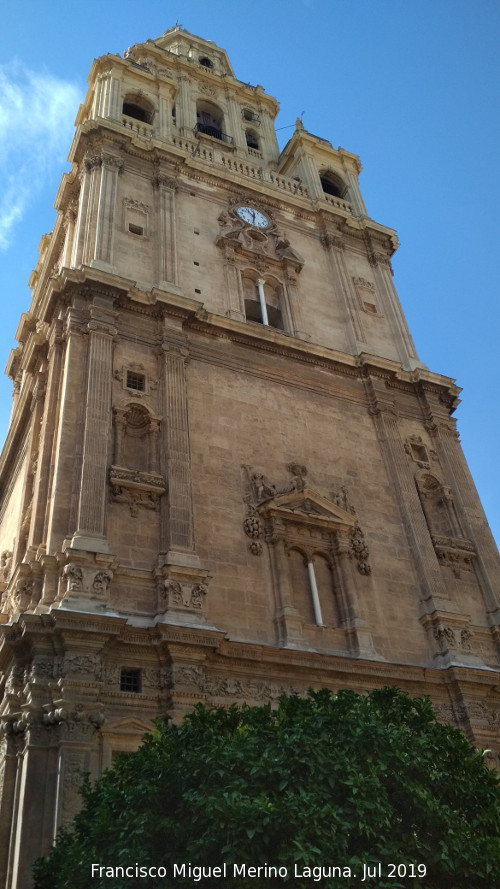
412,86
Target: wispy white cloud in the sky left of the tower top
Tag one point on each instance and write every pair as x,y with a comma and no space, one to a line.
37,112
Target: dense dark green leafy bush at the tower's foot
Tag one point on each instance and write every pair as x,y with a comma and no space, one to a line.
328,780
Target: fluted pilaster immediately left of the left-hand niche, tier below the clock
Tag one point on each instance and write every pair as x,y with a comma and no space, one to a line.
90,534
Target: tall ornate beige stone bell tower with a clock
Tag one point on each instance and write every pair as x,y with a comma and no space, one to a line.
227,473
